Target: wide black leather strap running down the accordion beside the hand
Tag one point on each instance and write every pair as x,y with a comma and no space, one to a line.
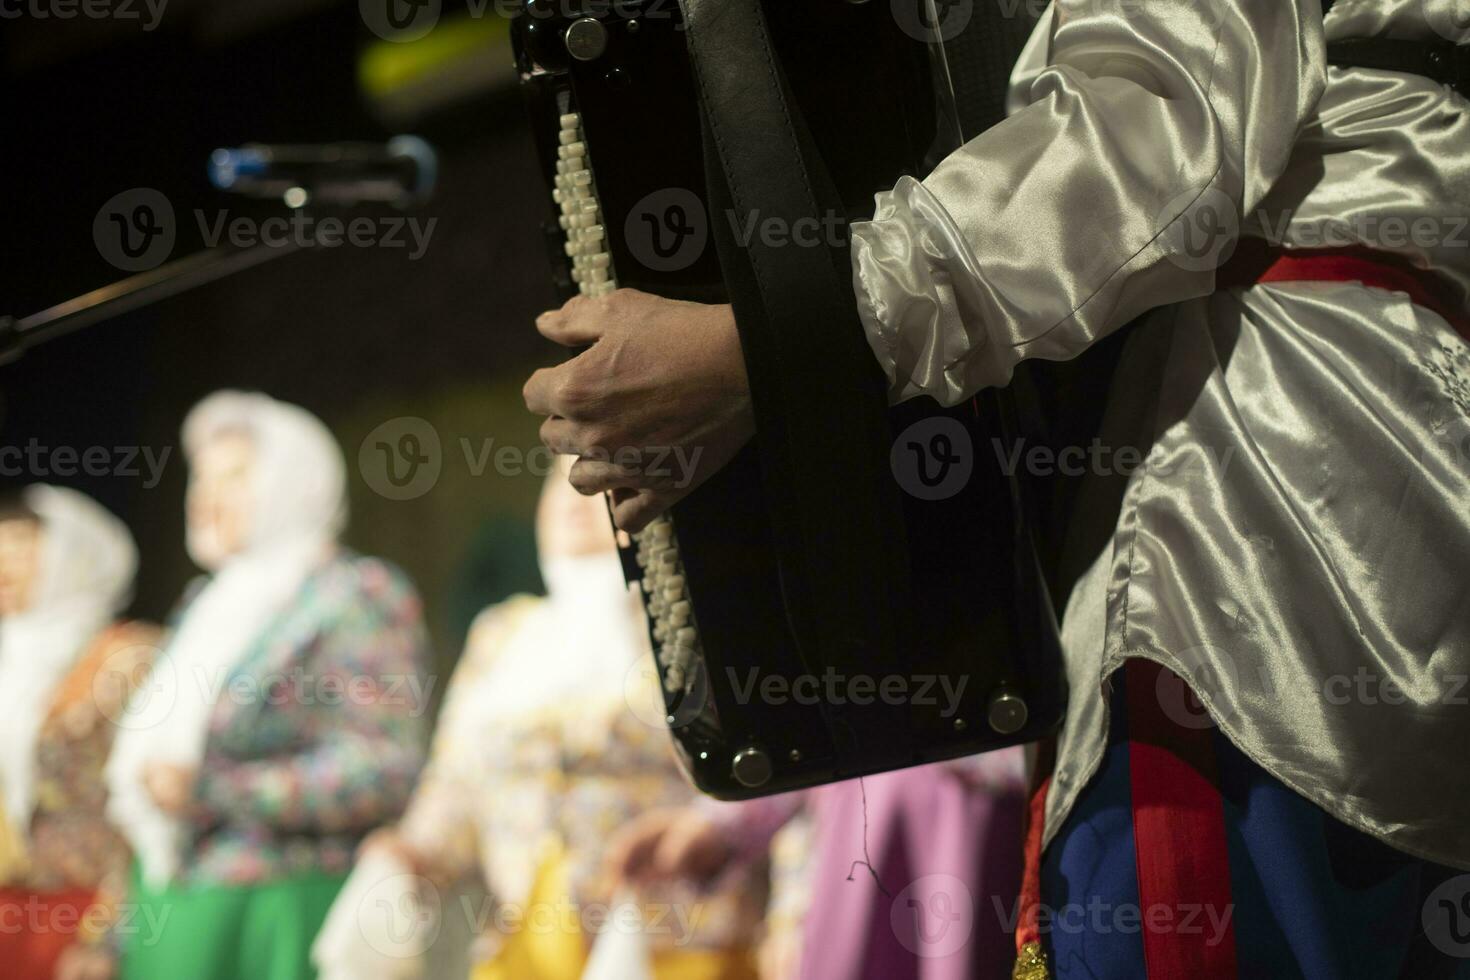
817,390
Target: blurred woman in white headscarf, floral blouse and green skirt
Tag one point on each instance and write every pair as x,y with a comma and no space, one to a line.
283,721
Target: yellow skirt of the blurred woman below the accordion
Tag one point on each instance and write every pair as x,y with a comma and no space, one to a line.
562,954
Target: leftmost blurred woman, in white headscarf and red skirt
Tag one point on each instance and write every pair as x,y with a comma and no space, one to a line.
67,668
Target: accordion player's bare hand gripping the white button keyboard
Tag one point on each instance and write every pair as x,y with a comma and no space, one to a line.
656,406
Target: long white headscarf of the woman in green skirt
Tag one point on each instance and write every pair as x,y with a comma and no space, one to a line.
299,486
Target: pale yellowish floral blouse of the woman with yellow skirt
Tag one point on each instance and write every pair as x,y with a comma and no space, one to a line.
505,794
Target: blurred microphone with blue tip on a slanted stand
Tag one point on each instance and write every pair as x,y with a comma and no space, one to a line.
398,173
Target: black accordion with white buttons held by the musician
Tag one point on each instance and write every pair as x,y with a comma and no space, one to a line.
859,590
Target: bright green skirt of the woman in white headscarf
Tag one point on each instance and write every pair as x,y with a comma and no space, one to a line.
226,932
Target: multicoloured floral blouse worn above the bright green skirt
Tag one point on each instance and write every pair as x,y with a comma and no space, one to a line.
320,732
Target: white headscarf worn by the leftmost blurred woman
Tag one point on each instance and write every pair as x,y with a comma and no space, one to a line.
83,580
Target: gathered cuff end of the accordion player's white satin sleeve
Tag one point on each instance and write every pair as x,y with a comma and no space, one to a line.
915,278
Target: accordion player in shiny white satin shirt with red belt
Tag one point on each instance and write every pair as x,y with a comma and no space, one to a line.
1300,519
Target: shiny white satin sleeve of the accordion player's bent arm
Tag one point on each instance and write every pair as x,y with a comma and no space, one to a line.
1136,129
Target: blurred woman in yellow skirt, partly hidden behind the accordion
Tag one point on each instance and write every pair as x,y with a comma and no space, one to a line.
542,753
